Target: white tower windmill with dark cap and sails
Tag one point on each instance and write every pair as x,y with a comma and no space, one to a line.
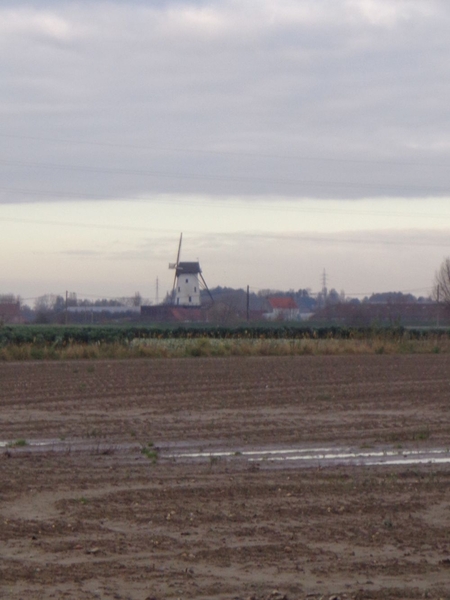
186,281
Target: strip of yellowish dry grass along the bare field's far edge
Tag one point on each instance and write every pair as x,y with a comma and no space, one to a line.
179,348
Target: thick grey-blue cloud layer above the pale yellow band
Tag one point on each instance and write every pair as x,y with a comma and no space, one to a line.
325,99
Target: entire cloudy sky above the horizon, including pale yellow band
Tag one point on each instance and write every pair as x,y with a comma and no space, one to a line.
284,138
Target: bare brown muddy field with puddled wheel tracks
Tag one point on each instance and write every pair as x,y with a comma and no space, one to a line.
133,480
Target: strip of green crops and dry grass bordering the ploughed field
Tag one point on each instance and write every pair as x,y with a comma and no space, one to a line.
42,342
